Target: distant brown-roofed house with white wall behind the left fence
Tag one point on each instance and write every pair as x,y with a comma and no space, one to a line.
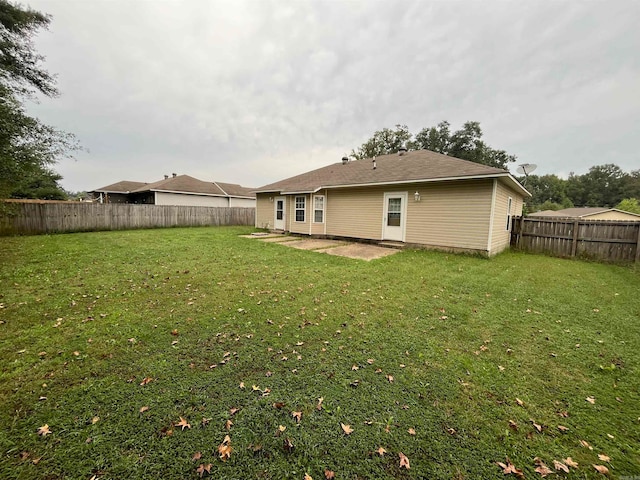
177,190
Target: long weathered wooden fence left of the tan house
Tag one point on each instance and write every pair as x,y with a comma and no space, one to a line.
37,218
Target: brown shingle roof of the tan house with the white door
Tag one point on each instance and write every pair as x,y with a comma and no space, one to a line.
419,165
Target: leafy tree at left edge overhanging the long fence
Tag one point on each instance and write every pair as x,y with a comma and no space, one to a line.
27,147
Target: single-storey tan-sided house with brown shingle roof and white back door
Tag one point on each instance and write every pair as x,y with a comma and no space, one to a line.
418,197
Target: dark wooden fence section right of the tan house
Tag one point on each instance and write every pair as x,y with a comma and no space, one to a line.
603,240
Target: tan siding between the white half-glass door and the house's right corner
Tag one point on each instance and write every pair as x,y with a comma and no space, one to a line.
450,214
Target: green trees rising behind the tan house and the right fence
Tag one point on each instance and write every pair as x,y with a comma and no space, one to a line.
602,186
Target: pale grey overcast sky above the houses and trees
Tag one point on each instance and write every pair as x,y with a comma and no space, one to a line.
252,92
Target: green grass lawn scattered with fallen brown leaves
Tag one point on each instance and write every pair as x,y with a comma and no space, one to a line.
134,354
